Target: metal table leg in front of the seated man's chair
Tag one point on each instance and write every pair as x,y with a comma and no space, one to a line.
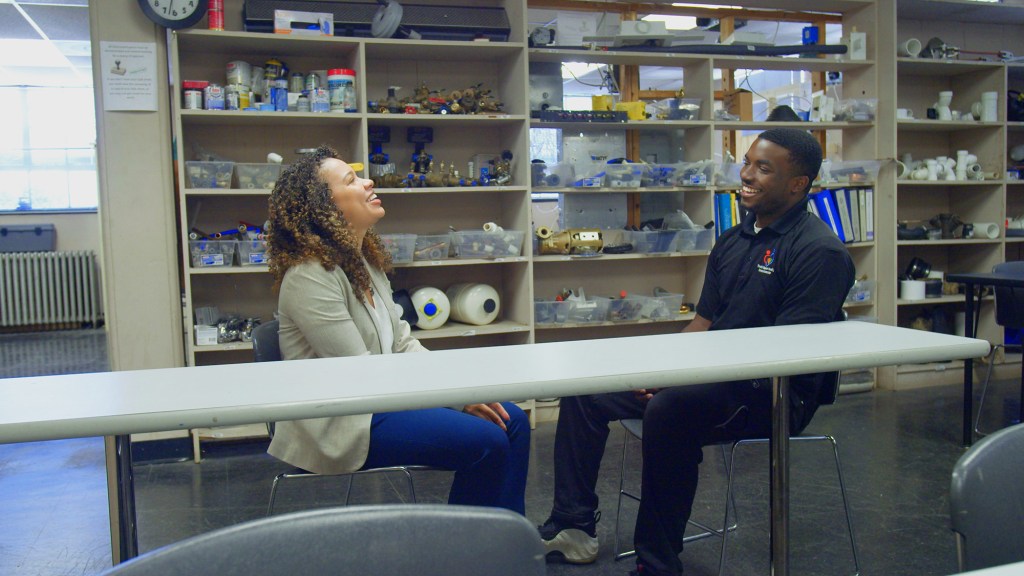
780,486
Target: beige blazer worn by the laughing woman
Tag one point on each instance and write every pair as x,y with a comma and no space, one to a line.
322,318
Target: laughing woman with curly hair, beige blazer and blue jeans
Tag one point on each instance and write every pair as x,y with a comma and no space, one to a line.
335,300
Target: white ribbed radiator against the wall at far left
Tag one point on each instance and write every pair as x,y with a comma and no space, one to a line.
50,291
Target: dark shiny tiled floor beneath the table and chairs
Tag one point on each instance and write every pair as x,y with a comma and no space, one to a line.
898,452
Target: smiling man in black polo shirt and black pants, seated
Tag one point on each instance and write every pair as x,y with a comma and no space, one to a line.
781,266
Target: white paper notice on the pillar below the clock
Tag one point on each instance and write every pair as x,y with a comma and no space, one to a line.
130,75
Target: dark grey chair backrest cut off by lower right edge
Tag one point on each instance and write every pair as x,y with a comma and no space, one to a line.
987,501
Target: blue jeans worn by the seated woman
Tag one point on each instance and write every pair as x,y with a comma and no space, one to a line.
490,464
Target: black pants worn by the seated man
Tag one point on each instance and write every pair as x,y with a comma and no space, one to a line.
677,424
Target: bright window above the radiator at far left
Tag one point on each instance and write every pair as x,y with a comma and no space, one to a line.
48,149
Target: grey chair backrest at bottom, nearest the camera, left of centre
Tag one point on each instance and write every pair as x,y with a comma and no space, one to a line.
401,540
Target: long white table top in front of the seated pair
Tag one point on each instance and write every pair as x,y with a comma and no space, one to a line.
111,403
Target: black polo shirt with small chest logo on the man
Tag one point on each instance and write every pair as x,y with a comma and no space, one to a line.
795,271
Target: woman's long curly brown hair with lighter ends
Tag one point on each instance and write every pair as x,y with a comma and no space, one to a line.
306,225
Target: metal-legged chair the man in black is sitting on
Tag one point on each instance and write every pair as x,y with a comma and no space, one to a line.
828,395
